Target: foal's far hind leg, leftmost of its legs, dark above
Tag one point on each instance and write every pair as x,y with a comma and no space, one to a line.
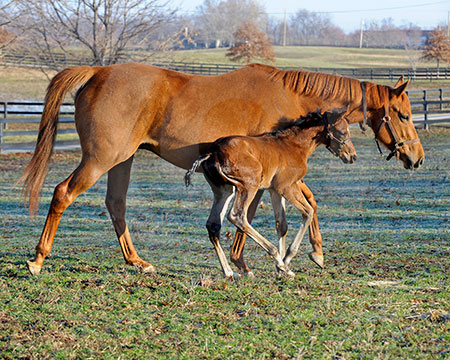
222,197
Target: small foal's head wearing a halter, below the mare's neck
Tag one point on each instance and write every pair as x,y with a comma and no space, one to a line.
338,140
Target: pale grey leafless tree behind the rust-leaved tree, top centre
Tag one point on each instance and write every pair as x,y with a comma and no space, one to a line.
218,20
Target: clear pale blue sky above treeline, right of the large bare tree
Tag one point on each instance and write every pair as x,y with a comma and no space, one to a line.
347,14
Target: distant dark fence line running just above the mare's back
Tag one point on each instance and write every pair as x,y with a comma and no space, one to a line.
431,74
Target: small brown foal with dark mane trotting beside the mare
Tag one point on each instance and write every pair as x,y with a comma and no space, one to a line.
276,161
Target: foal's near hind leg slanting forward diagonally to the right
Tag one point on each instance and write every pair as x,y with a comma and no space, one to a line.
238,216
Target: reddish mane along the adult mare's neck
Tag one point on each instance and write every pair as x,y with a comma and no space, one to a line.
327,86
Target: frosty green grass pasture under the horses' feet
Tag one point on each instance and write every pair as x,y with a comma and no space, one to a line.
384,294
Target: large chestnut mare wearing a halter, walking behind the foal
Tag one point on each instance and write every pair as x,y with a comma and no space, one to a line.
121,108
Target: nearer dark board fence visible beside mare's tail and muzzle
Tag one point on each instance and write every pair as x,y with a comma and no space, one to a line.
428,107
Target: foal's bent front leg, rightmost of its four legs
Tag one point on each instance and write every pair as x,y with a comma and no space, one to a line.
295,196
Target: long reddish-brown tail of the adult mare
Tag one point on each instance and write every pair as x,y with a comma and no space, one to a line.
34,174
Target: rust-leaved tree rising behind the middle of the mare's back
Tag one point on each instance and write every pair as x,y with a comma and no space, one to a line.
250,43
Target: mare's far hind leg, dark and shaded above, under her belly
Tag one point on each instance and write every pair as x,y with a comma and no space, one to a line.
118,181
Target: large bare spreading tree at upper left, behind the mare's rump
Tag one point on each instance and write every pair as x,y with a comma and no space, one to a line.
98,32
